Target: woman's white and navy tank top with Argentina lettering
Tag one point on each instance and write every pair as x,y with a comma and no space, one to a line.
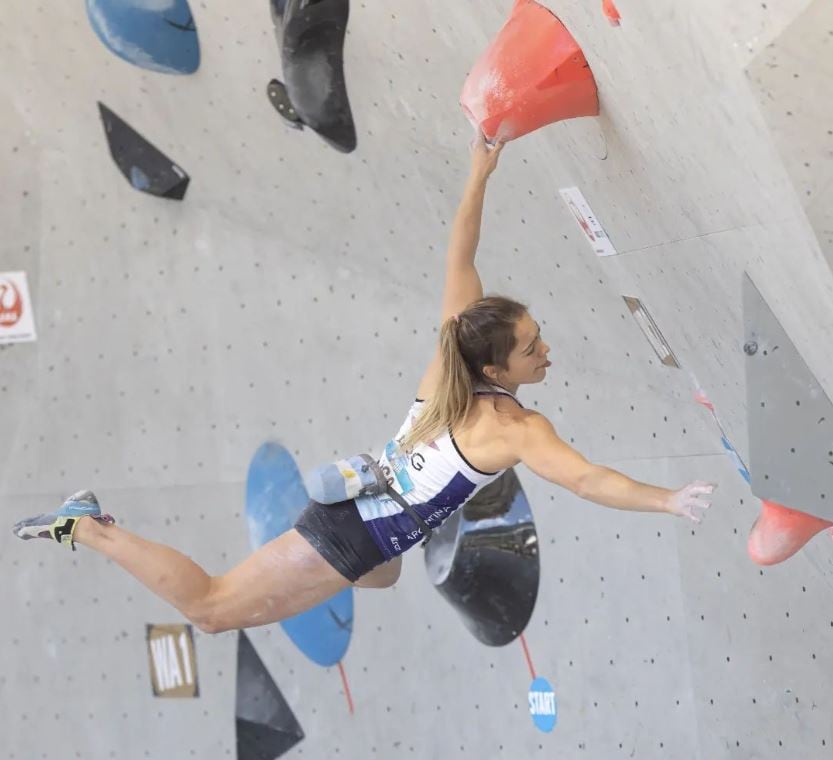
436,479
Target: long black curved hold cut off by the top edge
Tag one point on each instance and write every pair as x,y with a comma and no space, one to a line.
311,35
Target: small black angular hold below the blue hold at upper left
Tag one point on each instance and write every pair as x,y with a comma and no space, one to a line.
146,168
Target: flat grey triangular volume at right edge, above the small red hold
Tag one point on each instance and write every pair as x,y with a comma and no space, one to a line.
790,417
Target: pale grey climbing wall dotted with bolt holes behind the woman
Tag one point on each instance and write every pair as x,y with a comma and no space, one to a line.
294,293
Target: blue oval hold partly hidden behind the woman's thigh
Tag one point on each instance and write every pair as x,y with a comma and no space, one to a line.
275,496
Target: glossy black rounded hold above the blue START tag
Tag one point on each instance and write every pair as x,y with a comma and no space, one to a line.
485,561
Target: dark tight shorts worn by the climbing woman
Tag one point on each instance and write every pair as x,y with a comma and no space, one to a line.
337,532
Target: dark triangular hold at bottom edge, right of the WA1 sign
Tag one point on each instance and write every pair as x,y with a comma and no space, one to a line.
266,725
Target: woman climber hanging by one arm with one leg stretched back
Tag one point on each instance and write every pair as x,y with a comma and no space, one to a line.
463,431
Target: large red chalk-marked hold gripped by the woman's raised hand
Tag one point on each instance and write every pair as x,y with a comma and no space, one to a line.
533,74
